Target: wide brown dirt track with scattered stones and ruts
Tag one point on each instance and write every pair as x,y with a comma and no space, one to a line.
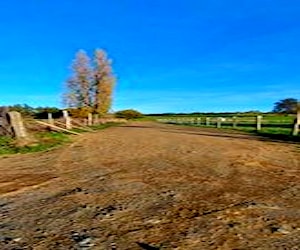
153,186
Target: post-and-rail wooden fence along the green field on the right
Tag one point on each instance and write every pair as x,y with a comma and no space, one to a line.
247,123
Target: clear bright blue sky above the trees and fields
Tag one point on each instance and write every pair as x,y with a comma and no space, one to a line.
169,55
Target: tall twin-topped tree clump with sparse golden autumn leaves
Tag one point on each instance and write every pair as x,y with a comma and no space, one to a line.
90,89
